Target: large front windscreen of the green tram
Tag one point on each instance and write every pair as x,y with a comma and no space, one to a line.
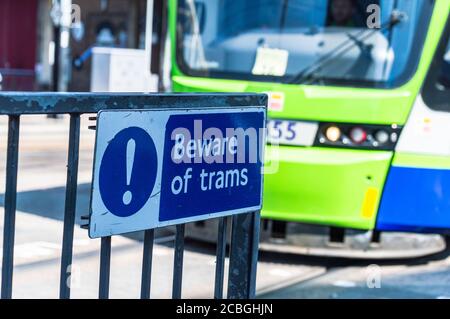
347,42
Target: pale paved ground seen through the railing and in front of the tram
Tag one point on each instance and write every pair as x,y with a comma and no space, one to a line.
42,167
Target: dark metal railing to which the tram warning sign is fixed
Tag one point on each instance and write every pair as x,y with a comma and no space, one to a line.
245,227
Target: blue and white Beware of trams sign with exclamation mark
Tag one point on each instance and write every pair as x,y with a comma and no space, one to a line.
164,167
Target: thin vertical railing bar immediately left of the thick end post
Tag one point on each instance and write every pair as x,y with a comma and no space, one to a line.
220,257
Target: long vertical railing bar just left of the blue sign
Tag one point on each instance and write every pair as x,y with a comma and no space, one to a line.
70,206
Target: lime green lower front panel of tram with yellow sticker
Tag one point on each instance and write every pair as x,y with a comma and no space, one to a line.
328,186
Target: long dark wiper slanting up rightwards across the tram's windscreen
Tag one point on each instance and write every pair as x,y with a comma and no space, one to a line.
308,74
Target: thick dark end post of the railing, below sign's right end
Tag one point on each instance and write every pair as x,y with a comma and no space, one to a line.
243,256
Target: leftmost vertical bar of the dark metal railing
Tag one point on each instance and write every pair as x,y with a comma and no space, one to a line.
12,160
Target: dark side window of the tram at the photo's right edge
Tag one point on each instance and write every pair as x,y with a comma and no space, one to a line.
437,87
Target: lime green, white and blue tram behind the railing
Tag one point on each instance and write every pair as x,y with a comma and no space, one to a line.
359,113
